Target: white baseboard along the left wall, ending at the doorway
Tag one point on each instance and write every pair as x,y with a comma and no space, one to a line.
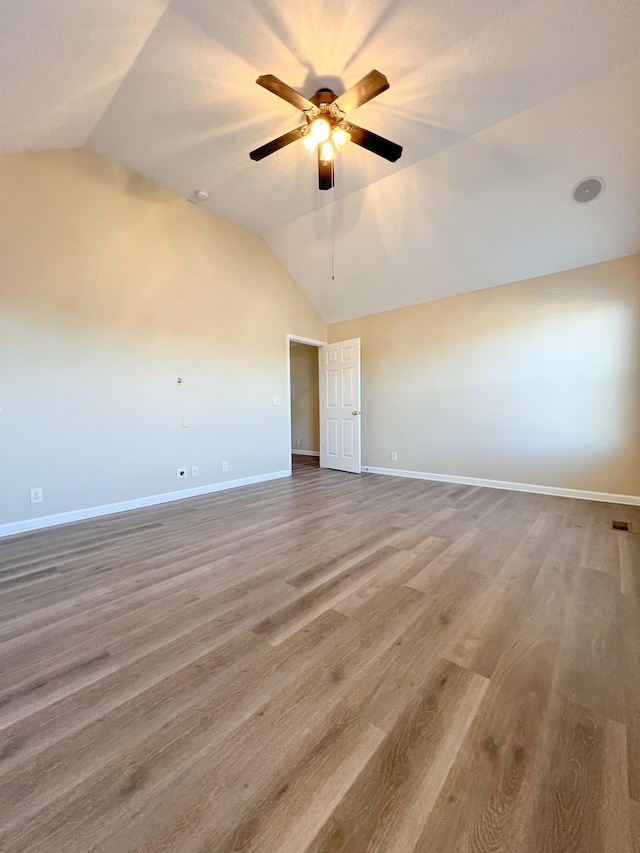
138,503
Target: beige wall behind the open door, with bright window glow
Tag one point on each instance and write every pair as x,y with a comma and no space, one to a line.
534,382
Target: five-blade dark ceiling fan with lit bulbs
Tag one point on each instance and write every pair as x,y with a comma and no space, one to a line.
326,128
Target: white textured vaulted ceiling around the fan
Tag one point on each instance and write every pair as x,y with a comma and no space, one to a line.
501,107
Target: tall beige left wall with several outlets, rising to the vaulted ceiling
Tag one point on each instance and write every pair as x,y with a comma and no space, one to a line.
110,289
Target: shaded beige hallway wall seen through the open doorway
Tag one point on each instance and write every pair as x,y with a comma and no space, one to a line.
305,405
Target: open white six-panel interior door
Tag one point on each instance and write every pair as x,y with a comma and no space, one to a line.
340,406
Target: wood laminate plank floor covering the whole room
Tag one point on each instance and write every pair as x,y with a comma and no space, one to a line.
325,663
